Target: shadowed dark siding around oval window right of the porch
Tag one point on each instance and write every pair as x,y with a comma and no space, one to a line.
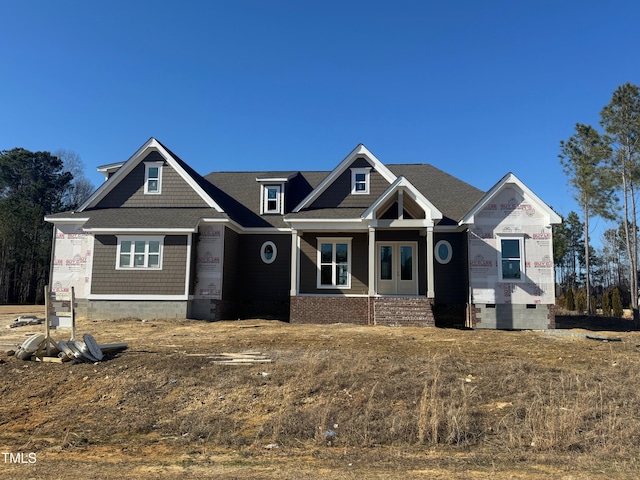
451,279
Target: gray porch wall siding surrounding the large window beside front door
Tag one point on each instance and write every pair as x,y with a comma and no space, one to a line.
309,260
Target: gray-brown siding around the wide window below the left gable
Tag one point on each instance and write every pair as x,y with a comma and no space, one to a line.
168,281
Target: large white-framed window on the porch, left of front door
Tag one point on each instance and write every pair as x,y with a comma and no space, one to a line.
334,263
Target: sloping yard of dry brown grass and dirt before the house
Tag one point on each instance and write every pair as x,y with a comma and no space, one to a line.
333,401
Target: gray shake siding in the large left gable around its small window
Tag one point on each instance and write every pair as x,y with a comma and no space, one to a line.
129,192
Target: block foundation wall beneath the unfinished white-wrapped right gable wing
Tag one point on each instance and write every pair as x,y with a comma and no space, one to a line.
513,316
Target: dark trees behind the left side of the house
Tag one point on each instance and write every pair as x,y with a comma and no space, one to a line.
32,185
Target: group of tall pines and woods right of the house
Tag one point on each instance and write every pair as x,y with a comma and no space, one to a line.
603,168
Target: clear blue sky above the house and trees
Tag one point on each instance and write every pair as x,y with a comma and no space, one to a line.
476,88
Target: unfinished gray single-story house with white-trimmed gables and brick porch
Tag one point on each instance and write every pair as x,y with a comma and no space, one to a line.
365,243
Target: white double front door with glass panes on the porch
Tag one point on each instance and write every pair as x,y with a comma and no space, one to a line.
397,268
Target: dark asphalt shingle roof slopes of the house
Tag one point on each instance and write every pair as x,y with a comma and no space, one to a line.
238,194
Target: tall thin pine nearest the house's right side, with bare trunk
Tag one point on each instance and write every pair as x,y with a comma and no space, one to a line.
582,157
